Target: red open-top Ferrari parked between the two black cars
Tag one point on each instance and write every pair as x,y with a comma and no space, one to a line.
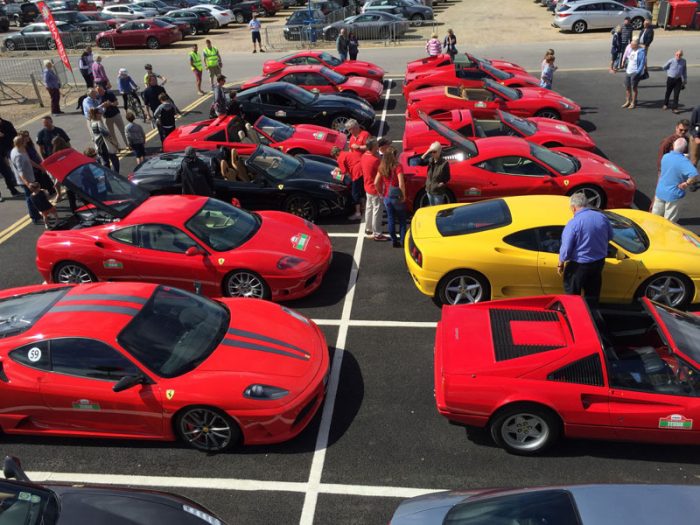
232,132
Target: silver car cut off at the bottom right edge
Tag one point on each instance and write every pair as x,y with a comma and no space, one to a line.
570,505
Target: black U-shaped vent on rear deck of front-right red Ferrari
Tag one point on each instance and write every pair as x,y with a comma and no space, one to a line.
503,345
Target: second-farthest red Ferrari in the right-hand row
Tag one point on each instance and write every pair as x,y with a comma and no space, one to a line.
465,73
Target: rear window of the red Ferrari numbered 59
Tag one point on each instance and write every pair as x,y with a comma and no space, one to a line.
19,313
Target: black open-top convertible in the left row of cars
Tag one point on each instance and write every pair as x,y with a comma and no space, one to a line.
303,186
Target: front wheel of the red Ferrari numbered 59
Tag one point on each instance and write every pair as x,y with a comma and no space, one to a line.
194,426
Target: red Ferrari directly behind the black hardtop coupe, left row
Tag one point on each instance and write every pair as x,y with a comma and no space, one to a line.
321,79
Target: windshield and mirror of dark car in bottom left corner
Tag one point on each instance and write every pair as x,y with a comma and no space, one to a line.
27,505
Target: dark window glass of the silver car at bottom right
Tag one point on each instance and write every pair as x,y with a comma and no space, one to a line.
542,506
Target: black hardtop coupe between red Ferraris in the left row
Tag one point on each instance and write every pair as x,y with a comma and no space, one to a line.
290,103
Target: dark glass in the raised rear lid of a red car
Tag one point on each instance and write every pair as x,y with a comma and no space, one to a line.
106,189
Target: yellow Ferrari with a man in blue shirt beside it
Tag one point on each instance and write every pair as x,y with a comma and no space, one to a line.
500,248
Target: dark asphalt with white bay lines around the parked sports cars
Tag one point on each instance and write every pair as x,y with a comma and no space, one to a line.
379,437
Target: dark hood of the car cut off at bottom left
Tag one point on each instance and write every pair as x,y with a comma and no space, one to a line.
123,507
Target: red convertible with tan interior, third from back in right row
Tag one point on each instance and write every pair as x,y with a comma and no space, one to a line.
522,102
